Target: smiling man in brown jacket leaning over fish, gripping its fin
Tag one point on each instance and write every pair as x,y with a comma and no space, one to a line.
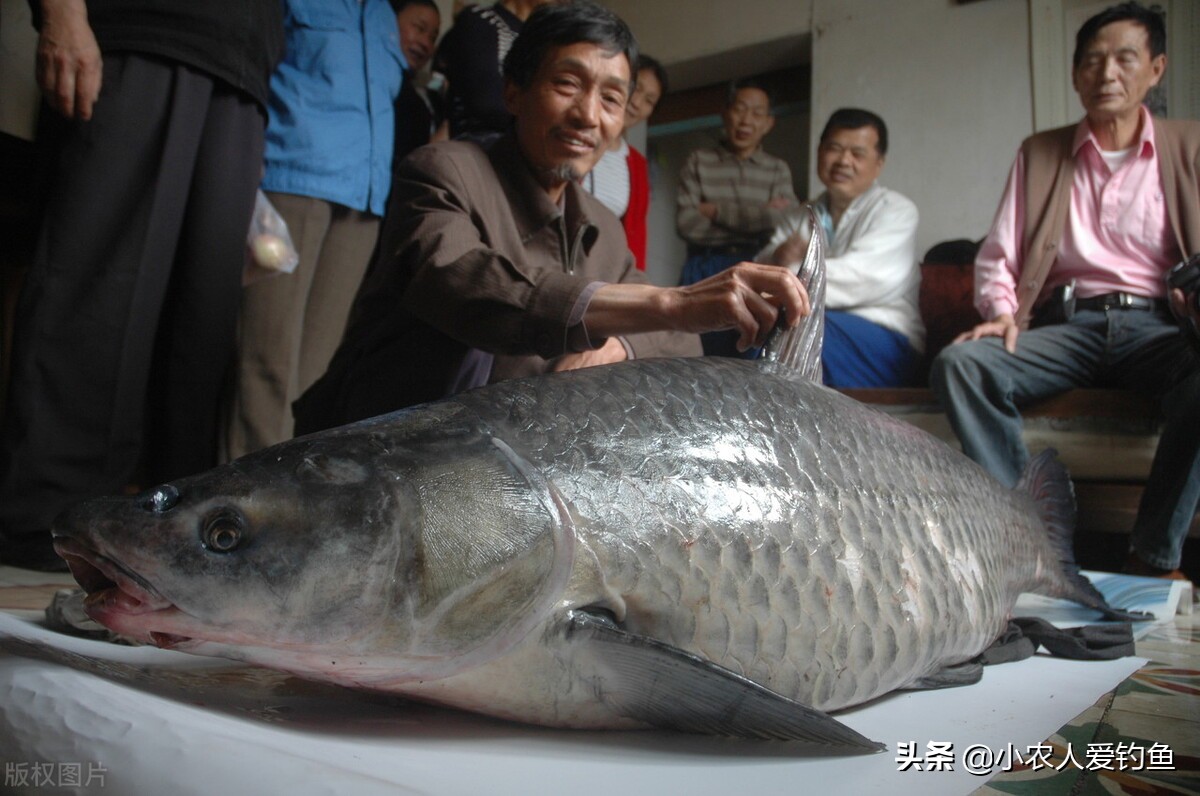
497,264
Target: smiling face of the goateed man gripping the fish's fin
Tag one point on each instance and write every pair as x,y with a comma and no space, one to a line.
573,110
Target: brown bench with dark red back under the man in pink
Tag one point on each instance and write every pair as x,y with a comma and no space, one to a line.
1107,438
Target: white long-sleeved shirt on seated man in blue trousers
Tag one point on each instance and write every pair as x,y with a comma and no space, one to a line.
872,267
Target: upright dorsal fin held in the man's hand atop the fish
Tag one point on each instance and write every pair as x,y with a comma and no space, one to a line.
799,351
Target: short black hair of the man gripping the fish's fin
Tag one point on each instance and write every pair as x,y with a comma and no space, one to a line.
561,26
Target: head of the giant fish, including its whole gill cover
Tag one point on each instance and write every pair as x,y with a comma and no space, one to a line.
418,556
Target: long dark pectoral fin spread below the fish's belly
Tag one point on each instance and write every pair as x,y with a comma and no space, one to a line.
667,687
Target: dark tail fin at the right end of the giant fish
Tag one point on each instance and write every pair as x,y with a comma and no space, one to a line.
1047,482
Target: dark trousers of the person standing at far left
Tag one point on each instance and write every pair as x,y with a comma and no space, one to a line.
127,326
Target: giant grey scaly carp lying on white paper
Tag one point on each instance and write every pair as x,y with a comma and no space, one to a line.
707,544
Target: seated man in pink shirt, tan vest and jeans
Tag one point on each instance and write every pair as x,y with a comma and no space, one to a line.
1071,279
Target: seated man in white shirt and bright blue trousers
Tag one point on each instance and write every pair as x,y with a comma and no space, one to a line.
874,334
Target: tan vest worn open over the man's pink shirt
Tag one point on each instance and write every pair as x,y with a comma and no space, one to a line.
1049,173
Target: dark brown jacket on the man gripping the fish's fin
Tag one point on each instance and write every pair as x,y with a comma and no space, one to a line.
479,278
